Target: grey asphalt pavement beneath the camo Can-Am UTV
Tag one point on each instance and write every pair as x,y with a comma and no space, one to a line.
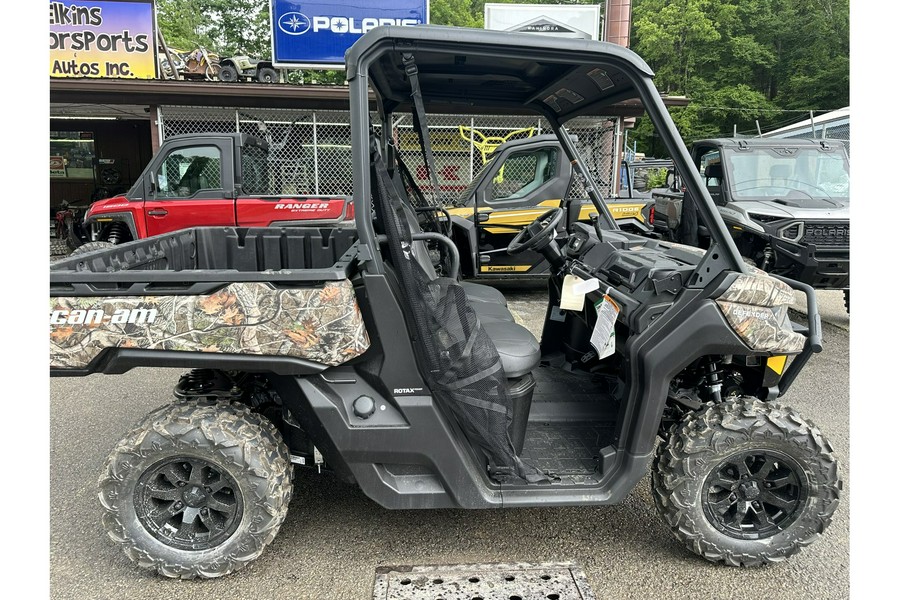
334,537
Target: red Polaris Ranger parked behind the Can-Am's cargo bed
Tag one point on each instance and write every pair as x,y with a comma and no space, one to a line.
210,179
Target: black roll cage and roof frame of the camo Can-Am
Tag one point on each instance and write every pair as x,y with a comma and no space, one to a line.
382,50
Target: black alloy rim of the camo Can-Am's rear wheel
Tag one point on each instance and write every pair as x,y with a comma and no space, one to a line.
188,503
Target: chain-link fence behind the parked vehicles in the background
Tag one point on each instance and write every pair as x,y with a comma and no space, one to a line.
309,151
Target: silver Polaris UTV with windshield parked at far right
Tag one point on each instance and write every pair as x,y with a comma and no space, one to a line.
786,203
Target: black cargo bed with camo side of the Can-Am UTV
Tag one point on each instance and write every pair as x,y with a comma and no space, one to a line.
220,297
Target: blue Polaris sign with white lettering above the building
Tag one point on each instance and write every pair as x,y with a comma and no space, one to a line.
316,34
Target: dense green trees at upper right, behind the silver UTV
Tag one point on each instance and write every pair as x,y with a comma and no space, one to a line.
743,63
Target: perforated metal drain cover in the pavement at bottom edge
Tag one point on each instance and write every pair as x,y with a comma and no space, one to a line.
503,581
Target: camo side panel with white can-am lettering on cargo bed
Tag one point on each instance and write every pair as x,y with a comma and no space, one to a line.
321,324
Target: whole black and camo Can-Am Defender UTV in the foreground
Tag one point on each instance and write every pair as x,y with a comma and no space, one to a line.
339,350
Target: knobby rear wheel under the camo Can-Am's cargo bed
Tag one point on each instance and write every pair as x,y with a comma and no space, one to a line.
197,489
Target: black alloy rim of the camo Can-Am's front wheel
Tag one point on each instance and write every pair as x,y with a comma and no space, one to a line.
755,494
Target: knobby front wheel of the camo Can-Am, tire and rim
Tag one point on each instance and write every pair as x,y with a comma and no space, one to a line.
745,482
